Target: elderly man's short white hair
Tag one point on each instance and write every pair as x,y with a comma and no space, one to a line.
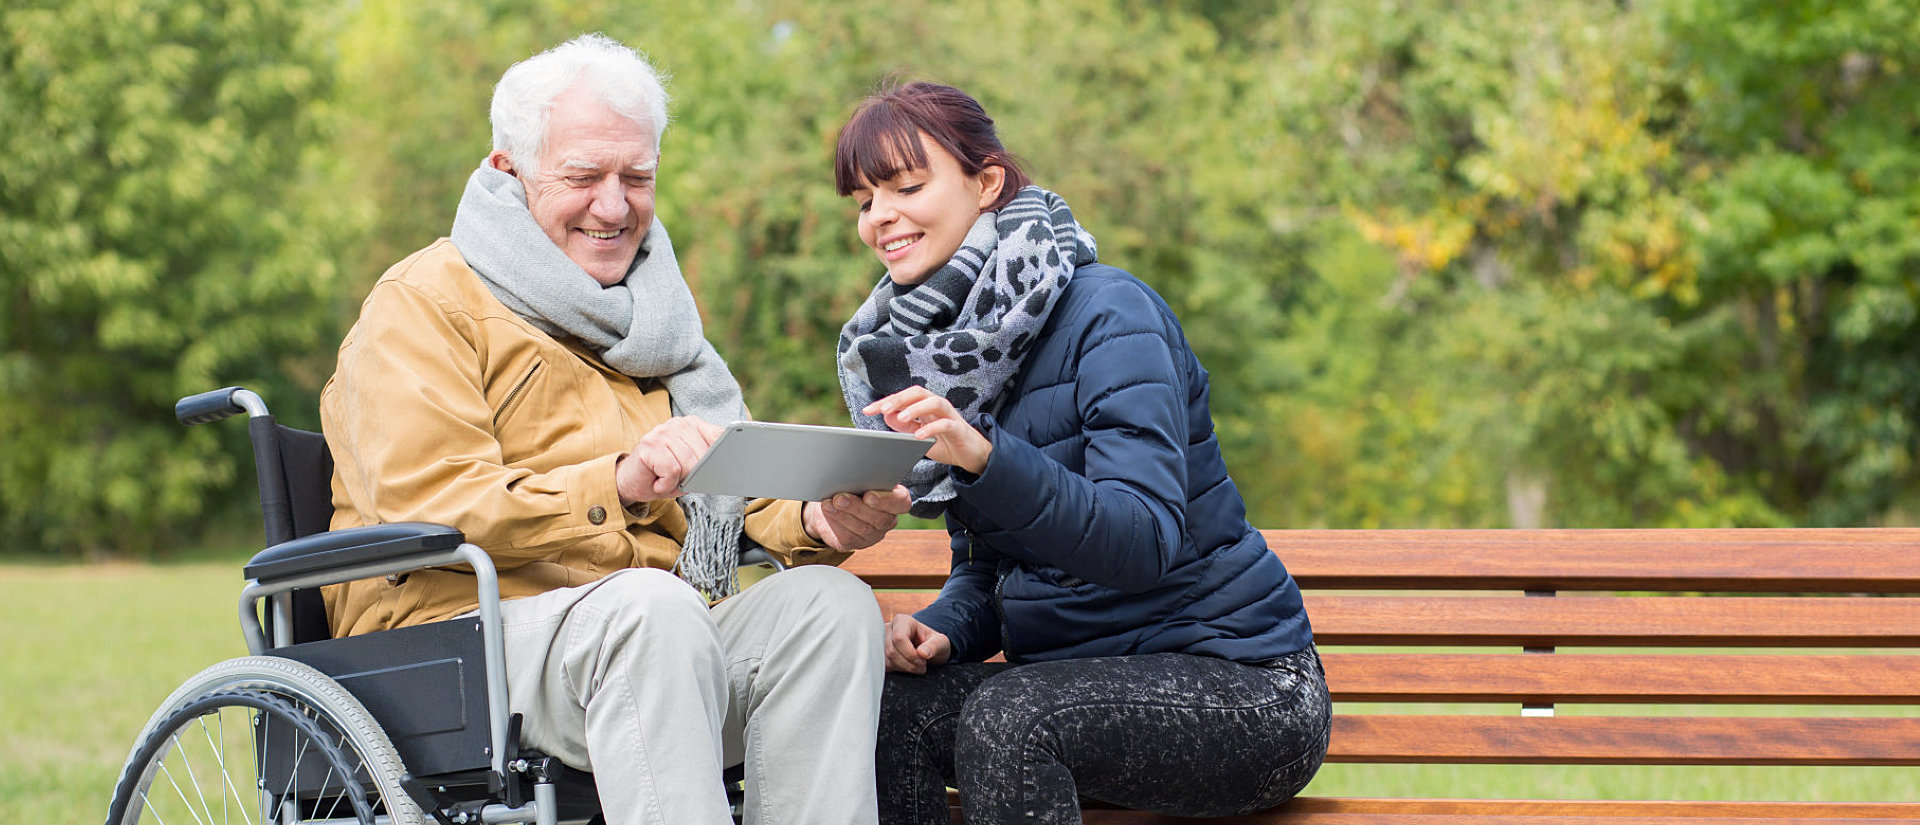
610,70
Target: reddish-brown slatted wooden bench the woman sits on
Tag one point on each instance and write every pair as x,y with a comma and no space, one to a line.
1533,621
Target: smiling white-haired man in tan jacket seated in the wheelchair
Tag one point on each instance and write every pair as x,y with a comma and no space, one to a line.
540,381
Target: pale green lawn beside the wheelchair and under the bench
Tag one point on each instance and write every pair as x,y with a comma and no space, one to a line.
89,651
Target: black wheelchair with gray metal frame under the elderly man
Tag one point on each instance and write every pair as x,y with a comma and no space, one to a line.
396,728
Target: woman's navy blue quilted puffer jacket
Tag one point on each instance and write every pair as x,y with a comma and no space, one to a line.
1105,523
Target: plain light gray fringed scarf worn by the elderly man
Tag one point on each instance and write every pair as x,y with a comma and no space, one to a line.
644,327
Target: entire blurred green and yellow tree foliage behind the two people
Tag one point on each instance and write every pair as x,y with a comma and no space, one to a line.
1506,264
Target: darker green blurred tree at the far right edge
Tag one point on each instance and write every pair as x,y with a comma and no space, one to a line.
1802,153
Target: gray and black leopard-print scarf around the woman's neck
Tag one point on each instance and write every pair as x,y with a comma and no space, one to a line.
965,331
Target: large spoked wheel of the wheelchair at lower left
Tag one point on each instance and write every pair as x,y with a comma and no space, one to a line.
262,740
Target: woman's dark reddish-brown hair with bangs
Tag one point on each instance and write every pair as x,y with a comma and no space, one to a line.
882,137
